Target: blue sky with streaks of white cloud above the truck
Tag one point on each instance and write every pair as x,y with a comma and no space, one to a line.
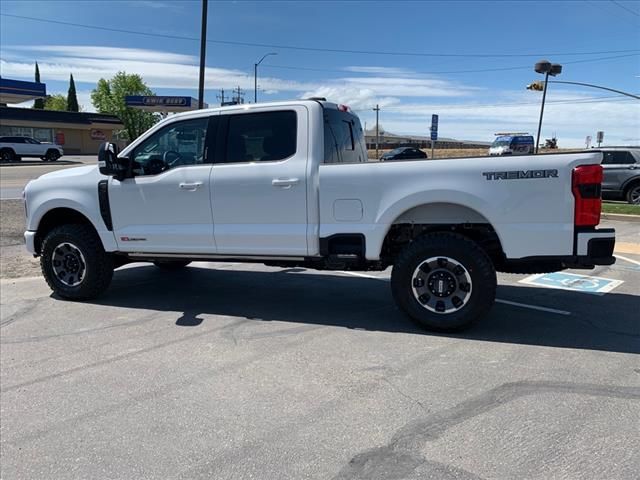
468,62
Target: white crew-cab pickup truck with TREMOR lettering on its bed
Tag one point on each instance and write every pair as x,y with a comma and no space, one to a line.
289,184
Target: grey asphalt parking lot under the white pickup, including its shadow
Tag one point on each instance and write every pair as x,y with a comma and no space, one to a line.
244,371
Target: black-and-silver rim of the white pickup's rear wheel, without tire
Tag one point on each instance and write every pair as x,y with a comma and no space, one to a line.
441,285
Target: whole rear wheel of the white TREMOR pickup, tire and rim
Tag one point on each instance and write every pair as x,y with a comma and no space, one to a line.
444,281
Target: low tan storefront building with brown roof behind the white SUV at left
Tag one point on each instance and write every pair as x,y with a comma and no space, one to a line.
75,132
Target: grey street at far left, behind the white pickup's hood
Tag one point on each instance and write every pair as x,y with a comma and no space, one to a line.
14,177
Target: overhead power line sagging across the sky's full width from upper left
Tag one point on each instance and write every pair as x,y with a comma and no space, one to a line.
315,49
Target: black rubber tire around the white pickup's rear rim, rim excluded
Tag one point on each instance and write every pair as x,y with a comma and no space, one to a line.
467,254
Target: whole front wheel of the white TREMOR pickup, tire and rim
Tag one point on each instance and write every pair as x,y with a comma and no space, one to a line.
74,263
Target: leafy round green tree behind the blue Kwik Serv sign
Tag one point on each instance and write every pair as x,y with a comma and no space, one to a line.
109,97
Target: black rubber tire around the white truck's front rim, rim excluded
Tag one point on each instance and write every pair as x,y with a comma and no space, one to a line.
99,264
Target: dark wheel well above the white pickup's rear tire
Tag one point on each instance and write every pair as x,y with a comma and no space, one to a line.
402,234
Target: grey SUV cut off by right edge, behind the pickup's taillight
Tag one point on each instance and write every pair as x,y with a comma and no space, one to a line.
621,167
